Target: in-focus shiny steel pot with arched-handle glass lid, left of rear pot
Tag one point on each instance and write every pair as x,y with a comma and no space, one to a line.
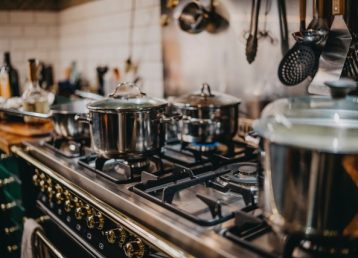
127,124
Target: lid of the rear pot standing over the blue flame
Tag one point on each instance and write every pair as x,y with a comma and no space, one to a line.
206,98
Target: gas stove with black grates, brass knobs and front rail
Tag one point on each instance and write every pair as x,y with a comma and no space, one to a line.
181,202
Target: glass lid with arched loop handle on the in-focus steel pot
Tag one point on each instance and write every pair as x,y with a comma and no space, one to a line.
128,97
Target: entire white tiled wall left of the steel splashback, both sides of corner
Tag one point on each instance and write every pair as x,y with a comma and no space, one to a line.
93,34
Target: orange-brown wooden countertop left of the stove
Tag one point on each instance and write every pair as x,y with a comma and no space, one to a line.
15,133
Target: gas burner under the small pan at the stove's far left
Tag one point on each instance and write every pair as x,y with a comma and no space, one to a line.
69,148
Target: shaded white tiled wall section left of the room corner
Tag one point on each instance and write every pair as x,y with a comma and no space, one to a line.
27,35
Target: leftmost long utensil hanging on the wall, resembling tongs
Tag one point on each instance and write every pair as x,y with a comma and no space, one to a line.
251,44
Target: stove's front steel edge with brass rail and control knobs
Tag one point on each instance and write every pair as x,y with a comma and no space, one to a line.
150,227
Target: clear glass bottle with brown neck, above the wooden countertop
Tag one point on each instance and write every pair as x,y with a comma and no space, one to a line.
35,99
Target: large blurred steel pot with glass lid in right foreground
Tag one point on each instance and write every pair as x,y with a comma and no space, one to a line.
310,161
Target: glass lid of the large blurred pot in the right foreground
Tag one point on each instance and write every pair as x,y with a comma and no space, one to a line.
316,122
